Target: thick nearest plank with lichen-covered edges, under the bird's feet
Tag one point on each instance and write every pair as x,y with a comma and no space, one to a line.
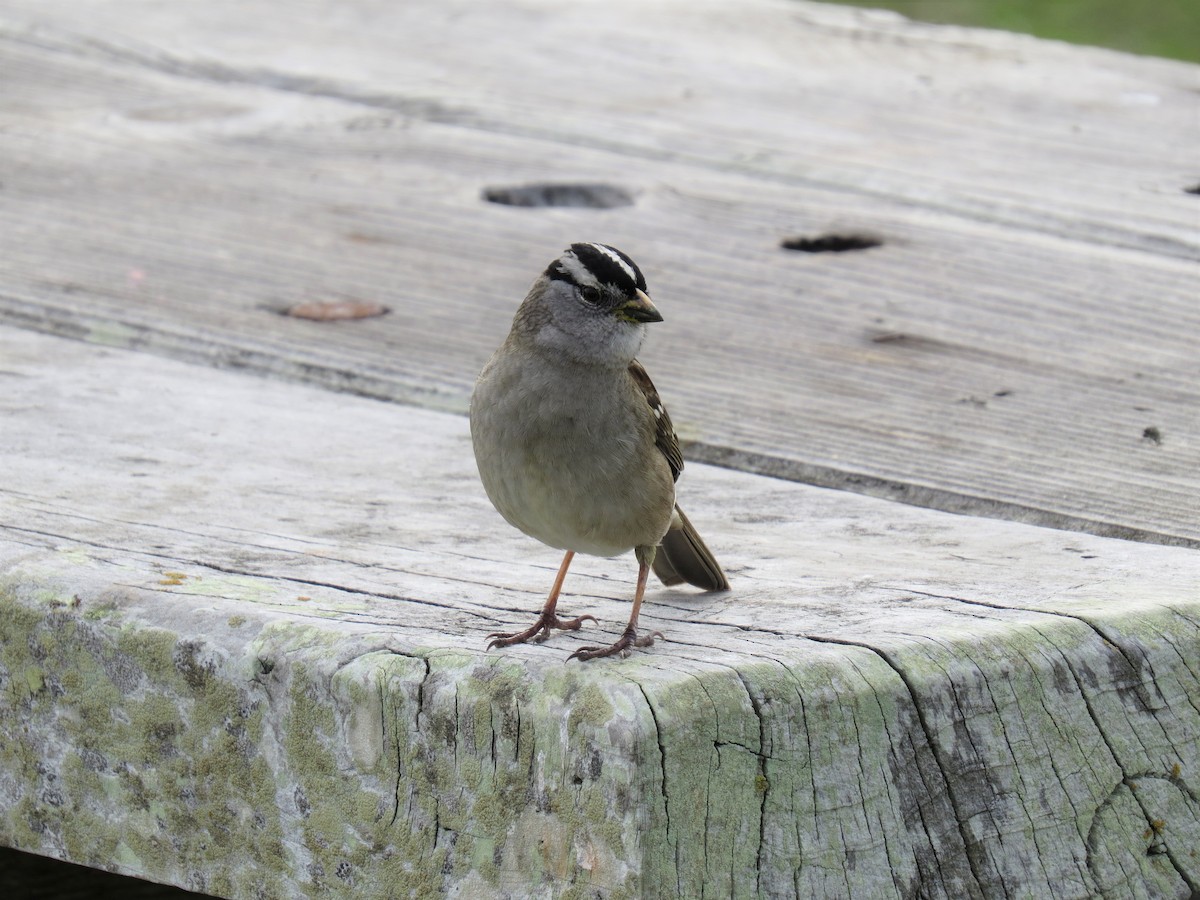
243,629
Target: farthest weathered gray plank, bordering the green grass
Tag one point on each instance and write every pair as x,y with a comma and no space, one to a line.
989,125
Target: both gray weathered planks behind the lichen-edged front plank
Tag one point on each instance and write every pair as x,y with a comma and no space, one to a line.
175,175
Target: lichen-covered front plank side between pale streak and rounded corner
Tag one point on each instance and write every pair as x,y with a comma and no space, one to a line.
441,772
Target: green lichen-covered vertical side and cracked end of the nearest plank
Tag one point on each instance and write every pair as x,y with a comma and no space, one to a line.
311,763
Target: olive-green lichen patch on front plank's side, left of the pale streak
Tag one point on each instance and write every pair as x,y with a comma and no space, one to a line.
134,752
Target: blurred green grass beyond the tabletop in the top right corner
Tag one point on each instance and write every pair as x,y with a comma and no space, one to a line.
1157,28
